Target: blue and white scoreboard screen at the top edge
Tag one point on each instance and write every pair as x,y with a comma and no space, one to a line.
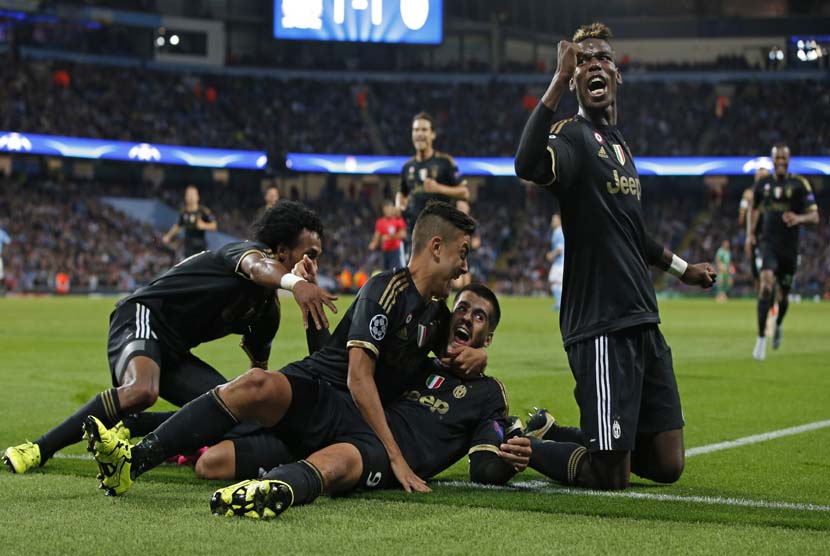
392,21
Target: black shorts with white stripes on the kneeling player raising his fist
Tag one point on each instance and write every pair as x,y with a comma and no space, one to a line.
625,386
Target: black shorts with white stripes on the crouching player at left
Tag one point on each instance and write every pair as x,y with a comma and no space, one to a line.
133,332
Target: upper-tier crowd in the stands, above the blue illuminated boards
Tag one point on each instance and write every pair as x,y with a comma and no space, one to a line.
473,119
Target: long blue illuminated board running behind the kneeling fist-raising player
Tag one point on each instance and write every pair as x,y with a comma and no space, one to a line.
646,166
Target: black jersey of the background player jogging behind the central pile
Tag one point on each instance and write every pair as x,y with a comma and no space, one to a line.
440,167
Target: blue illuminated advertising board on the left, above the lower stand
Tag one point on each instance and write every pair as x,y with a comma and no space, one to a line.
102,149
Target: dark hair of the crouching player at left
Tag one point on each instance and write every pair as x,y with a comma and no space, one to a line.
283,223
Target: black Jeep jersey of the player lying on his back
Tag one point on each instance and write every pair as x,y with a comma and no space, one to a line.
442,418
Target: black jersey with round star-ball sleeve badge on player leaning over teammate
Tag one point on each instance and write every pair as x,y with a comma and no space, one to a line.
390,319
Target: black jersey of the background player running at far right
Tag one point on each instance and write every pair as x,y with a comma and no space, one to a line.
773,197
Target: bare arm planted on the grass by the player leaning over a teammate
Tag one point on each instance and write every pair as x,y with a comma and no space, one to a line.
361,383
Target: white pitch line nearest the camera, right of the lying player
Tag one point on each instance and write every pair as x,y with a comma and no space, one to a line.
542,487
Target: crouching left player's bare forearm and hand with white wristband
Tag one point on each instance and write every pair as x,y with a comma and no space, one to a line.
272,274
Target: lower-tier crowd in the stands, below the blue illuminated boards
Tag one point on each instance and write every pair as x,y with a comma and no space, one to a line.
60,226
